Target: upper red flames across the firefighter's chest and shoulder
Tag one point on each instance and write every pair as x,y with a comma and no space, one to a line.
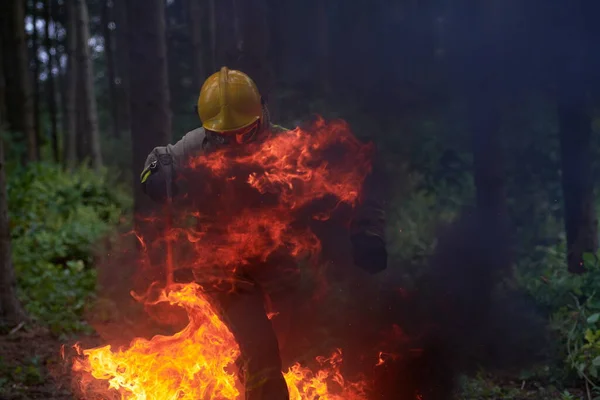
298,165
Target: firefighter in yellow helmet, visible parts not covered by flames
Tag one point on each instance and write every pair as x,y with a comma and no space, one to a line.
233,113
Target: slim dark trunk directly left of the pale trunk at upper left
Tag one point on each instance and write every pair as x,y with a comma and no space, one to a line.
71,137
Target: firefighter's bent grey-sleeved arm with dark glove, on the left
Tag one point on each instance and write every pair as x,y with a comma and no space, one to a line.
162,164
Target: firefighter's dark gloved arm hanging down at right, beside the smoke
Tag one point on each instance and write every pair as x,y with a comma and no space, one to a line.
369,223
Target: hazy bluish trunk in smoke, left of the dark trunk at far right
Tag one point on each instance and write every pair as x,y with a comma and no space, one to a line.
480,67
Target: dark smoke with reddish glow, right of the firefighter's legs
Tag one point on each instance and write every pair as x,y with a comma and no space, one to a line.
415,344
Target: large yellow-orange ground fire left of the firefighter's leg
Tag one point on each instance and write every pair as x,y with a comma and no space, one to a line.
188,365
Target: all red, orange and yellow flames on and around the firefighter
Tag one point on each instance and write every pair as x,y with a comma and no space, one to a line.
296,168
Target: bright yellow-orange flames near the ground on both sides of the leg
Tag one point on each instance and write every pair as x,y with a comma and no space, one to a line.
196,363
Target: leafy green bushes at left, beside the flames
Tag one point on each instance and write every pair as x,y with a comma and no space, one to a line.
57,218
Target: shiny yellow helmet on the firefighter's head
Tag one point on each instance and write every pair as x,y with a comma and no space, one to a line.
229,101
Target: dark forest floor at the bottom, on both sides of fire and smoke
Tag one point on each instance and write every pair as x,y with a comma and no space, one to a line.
31,367
